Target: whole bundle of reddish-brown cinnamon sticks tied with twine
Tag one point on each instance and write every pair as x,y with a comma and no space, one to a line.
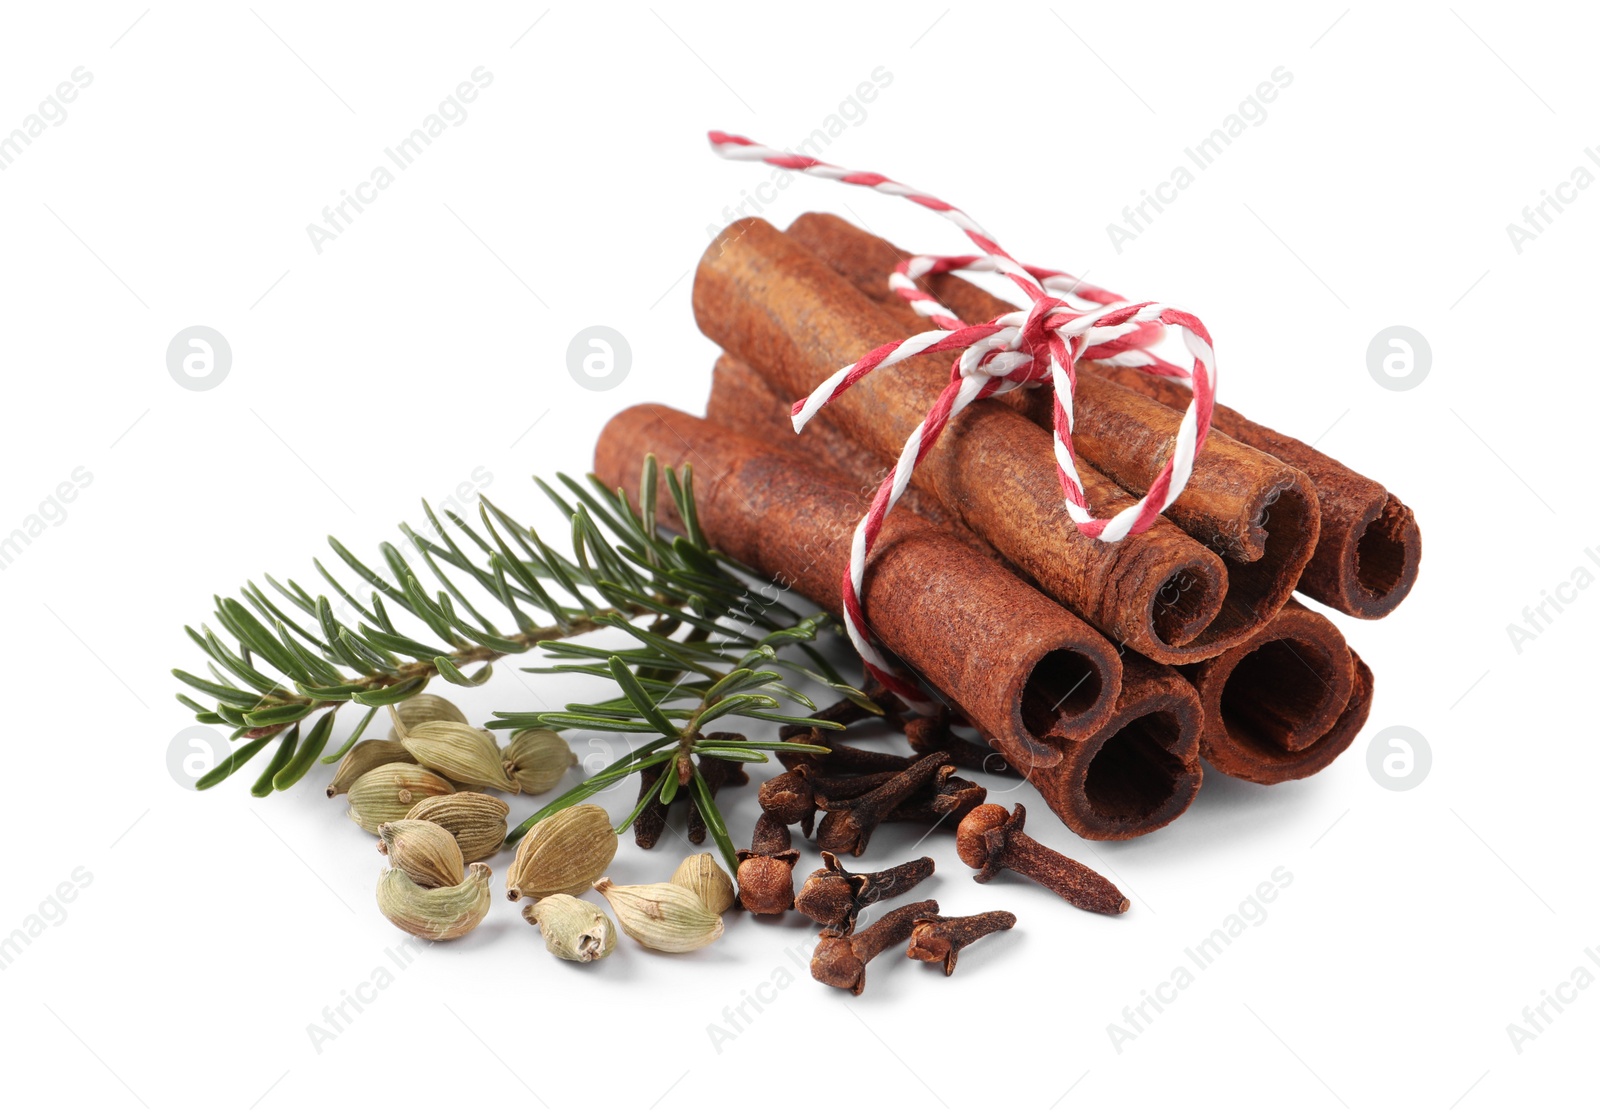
1102,672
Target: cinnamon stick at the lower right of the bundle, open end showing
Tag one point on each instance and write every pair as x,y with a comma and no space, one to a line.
1284,704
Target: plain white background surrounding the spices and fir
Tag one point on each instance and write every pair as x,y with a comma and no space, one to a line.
430,340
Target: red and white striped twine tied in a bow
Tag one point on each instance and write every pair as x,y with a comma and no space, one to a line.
1066,321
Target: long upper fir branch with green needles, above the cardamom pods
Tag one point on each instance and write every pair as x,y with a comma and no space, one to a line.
278,659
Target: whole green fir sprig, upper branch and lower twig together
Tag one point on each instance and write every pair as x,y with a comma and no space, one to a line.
689,609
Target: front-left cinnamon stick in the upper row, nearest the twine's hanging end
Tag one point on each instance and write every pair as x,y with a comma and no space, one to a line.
790,316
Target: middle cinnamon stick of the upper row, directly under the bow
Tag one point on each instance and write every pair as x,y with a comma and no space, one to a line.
1254,510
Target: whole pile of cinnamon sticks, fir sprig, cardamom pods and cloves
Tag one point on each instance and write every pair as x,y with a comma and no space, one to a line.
1098,672
